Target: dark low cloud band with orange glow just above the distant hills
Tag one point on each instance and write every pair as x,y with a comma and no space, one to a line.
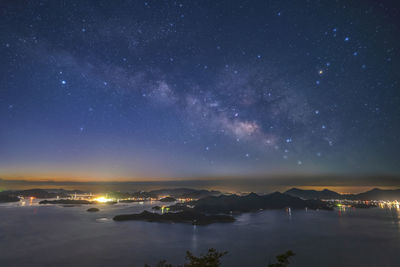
259,184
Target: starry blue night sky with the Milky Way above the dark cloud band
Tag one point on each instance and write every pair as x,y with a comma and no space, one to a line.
167,89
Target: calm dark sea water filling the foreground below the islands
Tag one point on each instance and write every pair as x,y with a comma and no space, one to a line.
59,236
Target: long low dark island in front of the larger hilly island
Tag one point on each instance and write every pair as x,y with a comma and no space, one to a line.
191,217
